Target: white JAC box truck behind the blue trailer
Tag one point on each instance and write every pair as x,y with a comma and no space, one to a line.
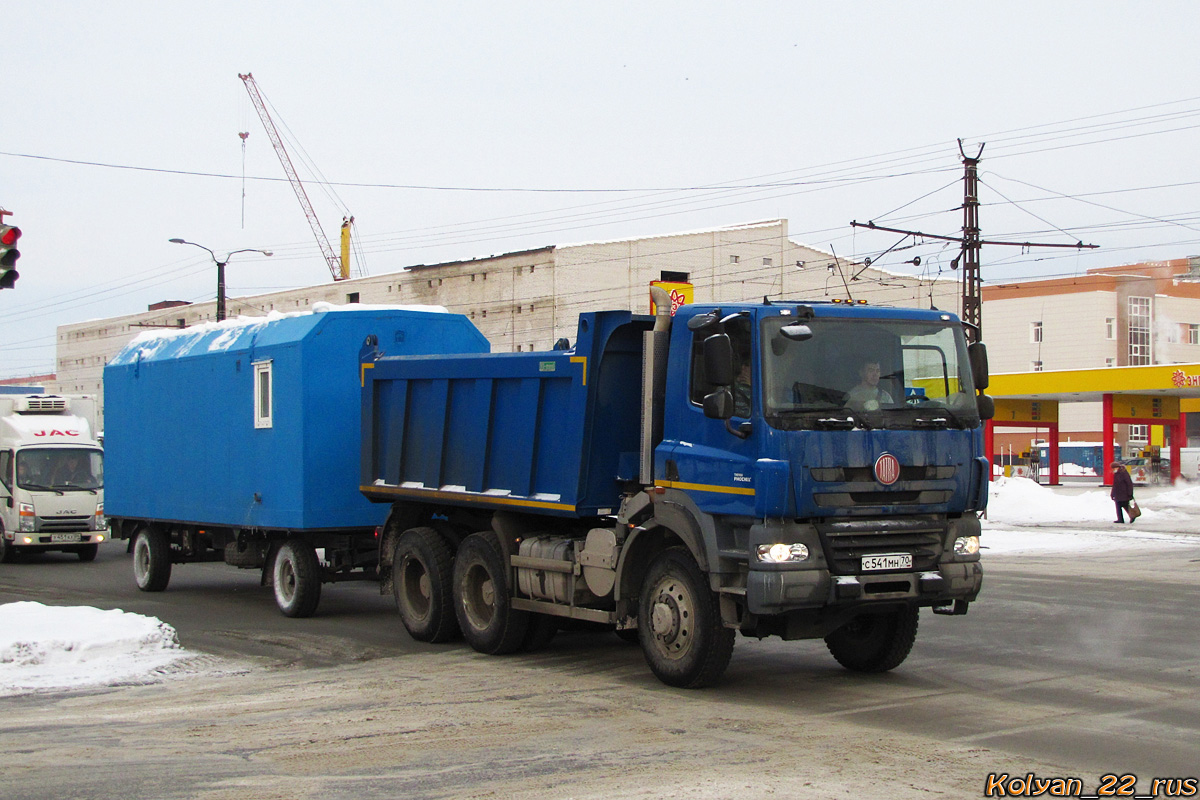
52,478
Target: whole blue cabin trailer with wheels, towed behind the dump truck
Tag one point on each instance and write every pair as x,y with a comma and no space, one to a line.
238,442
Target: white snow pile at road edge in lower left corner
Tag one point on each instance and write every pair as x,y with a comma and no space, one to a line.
51,647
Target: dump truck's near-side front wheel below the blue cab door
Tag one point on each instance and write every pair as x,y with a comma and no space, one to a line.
680,623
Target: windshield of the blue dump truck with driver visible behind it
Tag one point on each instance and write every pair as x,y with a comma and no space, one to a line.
868,374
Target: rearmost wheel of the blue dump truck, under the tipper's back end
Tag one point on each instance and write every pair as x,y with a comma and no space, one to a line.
423,582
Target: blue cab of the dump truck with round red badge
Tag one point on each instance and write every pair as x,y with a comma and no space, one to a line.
833,455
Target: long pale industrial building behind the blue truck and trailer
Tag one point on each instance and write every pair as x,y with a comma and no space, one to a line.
527,300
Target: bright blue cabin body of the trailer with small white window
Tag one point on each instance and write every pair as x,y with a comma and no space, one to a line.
187,442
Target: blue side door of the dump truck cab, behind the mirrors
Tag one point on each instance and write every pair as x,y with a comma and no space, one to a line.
700,455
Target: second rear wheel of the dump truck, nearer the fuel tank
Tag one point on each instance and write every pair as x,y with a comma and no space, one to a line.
482,598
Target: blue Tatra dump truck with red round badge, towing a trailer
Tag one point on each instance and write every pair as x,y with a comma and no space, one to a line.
794,470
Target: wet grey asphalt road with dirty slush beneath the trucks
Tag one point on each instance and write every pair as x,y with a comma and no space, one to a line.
1069,666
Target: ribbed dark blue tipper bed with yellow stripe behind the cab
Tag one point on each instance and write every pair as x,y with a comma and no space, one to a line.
547,432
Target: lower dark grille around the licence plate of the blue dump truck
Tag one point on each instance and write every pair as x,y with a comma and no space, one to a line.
847,543
